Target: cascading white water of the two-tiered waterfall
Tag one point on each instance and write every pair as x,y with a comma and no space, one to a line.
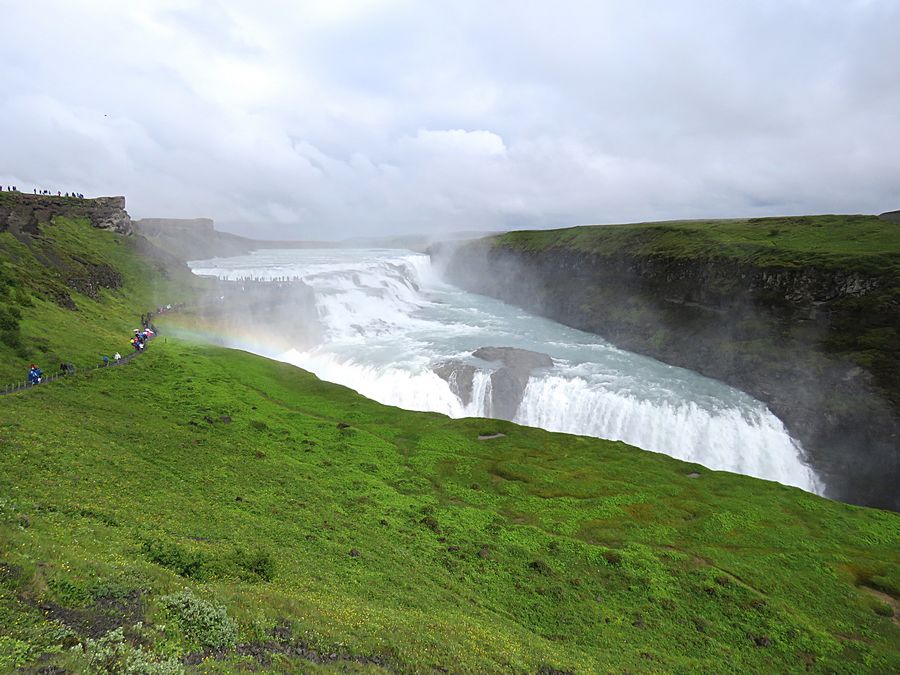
388,321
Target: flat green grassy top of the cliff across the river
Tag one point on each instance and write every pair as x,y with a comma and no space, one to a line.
854,242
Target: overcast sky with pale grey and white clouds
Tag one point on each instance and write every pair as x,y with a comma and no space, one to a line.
338,118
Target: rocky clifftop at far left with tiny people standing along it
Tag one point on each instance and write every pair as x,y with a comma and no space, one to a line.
22,213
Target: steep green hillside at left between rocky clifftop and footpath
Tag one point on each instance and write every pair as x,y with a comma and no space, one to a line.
54,306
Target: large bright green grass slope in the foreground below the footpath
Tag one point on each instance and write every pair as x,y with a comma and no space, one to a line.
251,483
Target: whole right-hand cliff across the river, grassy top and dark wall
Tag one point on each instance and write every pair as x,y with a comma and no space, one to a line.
800,312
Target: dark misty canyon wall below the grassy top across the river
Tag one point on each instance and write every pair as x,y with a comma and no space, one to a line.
818,344
